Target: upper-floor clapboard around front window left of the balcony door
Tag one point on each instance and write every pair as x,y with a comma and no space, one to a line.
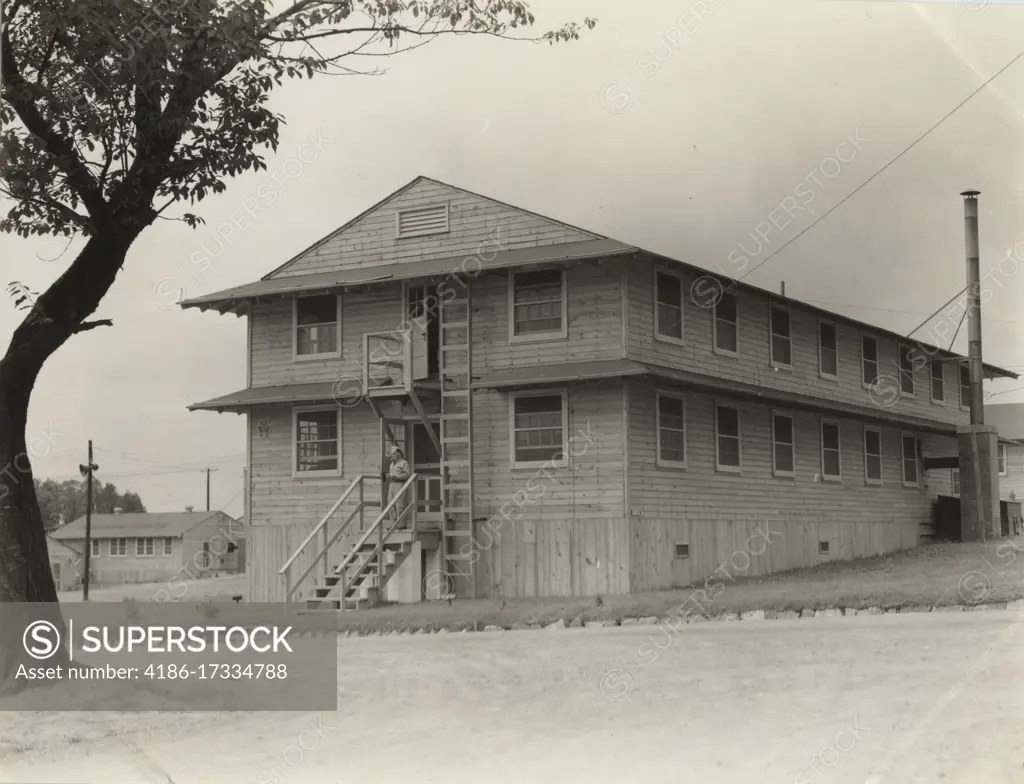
273,361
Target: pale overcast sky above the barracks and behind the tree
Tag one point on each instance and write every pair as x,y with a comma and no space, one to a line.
677,134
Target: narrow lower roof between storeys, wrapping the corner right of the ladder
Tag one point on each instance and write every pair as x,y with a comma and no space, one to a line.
568,373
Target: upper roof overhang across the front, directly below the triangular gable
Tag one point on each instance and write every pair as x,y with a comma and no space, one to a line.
237,300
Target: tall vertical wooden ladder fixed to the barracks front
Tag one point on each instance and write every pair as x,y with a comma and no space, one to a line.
456,437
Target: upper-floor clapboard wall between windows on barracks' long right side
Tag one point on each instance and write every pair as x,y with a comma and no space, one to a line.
754,364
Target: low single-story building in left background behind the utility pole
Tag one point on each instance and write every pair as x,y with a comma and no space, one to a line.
158,547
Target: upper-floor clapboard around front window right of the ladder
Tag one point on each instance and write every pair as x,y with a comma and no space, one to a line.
594,308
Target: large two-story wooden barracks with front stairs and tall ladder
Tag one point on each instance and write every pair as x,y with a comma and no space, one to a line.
582,416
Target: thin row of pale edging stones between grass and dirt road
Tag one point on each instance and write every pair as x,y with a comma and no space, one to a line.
654,621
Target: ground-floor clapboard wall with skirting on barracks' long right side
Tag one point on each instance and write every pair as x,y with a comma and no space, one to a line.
716,512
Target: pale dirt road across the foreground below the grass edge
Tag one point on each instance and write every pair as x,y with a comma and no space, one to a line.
872,700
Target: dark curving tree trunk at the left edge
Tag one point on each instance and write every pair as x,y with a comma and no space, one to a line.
59,314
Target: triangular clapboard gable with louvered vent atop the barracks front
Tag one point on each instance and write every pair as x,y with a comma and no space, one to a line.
429,220
